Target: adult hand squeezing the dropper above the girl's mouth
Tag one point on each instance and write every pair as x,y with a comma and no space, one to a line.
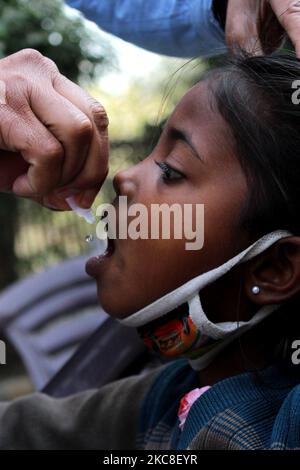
53,135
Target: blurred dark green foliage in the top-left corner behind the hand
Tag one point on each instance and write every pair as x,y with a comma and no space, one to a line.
50,28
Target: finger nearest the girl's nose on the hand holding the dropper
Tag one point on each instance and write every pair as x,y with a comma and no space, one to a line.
95,169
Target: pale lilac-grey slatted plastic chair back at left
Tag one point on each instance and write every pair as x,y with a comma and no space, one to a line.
48,315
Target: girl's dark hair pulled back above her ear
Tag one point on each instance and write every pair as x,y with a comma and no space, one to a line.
254,96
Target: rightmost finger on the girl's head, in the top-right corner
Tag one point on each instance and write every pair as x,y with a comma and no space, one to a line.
288,14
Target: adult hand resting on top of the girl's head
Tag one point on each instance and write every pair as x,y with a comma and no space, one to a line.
259,26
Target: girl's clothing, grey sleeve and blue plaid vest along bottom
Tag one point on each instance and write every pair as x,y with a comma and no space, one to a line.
248,411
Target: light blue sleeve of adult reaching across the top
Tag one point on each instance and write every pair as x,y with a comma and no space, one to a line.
181,28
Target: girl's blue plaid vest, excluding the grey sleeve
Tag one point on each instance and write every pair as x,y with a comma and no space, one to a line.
249,411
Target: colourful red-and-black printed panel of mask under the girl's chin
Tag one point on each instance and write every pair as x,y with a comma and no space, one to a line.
176,335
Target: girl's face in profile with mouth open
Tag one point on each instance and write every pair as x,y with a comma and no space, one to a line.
193,162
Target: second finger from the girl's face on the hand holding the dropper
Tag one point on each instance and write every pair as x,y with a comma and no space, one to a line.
68,124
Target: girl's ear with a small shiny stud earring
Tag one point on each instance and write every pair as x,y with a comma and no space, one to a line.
276,272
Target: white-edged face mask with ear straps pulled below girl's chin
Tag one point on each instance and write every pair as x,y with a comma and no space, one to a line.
195,336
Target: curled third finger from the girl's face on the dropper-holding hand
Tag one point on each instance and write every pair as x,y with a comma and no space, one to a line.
22,132
